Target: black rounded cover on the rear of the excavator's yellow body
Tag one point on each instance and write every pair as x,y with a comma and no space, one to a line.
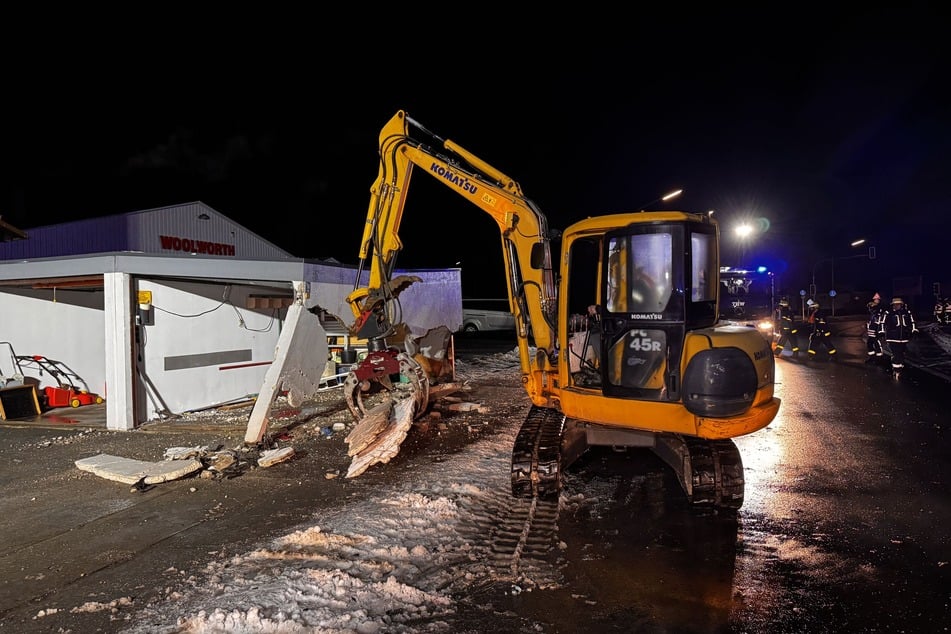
719,382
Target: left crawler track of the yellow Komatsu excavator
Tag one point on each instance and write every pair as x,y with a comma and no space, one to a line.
536,454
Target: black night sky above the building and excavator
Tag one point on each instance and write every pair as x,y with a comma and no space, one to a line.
821,127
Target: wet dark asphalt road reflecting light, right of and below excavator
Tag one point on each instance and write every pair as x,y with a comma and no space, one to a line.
844,526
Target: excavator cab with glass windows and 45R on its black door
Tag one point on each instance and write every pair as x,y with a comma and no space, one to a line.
656,282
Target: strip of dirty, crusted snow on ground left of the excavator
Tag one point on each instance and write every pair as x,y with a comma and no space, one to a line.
390,564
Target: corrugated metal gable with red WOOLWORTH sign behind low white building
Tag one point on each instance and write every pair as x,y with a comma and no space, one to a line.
190,228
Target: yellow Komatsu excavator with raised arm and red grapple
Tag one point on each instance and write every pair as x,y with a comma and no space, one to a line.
619,339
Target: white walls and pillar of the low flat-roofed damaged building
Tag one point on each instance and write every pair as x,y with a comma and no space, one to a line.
204,346
